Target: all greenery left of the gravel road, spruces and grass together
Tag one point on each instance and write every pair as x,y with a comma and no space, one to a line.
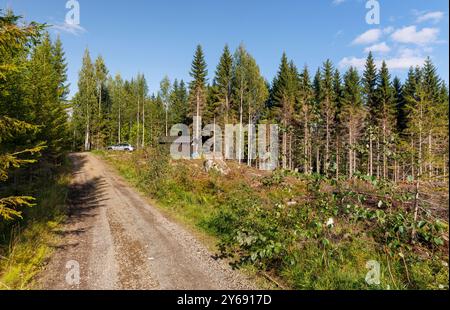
33,140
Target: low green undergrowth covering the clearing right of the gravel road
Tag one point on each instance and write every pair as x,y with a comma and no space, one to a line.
279,223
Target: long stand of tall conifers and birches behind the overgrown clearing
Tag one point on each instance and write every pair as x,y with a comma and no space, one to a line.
369,123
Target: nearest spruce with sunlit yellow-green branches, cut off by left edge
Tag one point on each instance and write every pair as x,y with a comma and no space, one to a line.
14,41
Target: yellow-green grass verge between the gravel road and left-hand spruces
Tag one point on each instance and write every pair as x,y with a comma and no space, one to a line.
25,245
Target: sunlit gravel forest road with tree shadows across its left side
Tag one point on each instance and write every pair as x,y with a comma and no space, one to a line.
120,241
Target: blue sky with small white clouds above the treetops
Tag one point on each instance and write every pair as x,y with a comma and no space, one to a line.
158,38
